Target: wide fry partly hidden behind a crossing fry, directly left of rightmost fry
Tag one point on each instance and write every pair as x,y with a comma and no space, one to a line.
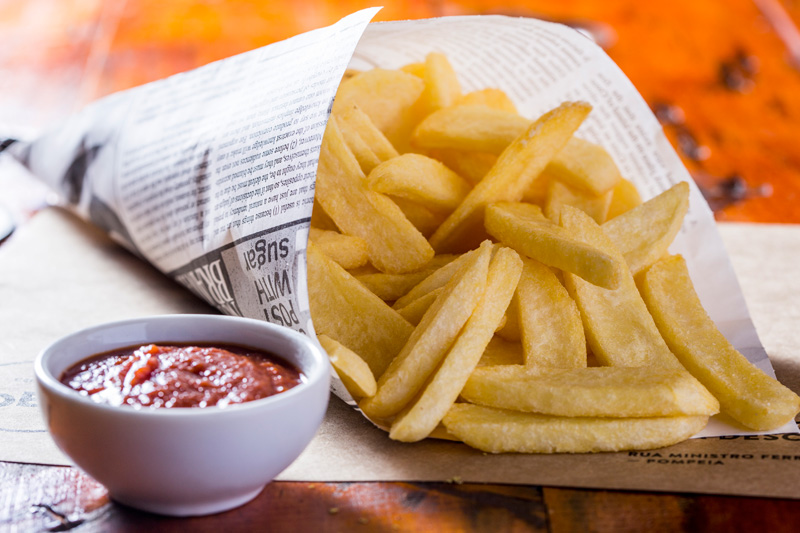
619,330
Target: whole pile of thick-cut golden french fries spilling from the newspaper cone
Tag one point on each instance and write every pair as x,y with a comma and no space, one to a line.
494,300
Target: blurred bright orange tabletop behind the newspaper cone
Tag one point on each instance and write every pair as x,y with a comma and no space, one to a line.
722,76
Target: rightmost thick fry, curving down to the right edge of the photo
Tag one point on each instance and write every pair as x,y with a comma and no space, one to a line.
745,393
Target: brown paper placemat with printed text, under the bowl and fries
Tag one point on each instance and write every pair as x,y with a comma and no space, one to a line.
58,275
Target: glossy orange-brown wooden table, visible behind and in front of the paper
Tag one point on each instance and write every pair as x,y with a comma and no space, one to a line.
723,78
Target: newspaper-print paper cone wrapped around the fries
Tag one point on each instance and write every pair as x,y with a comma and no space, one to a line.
209,175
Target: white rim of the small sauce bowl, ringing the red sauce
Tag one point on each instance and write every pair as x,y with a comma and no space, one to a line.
319,370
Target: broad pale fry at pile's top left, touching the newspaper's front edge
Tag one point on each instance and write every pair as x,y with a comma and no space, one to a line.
389,98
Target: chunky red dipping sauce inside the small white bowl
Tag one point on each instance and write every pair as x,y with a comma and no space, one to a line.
181,376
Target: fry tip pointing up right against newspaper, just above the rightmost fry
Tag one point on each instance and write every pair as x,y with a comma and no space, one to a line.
644,233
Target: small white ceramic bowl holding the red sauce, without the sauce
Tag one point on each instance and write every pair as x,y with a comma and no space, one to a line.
184,461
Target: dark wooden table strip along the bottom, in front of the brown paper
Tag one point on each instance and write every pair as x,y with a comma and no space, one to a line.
38,498
